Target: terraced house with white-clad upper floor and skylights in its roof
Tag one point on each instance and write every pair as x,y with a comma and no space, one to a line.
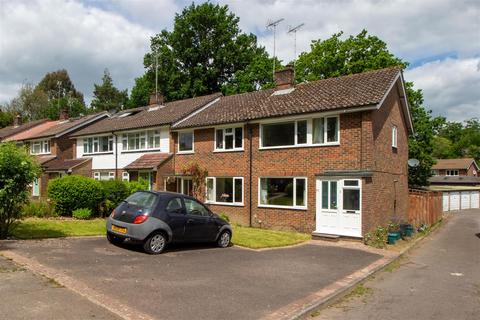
136,143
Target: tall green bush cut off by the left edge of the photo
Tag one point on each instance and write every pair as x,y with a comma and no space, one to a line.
17,171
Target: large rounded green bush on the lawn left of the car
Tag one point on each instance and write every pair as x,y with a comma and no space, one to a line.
75,192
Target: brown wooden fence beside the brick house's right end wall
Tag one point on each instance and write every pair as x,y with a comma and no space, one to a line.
425,207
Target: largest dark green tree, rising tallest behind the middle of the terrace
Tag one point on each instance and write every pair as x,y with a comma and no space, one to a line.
206,52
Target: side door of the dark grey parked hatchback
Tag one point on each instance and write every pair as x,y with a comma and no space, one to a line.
200,225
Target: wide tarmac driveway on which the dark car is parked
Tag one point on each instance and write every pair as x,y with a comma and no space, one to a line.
196,282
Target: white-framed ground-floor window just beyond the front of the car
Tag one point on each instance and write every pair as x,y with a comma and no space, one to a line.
225,190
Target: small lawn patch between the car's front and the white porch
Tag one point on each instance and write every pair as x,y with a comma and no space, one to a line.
261,238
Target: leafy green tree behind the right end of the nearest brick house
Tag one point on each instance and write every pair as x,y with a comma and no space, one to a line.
337,56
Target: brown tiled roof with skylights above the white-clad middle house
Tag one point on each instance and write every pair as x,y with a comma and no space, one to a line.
142,117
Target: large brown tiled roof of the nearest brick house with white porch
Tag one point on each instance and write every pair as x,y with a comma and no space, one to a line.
362,89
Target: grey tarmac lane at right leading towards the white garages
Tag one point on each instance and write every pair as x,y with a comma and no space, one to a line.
439,280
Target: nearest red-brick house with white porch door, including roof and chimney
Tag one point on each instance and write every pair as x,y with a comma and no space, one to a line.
328,156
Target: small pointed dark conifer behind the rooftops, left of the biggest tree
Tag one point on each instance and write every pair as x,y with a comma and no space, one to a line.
107,97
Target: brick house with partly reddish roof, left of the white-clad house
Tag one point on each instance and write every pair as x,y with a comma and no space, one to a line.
50,143
